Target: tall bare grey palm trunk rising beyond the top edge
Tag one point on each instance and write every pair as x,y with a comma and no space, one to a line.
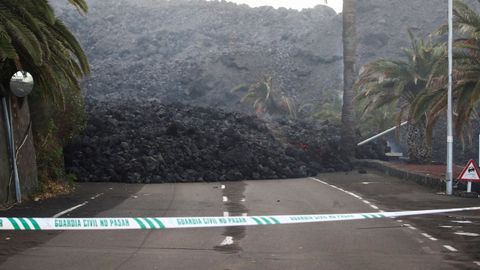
349,59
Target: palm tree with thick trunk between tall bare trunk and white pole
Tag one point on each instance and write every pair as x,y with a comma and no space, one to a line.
397,83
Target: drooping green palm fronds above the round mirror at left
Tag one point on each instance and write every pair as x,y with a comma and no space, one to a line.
34,40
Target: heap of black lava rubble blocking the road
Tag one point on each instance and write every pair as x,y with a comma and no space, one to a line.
149,142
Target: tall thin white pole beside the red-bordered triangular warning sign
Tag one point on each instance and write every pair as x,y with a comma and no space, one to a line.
449,110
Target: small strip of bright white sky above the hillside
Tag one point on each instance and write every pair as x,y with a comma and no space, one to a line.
296,4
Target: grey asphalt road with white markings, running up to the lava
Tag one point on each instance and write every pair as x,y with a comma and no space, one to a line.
369,244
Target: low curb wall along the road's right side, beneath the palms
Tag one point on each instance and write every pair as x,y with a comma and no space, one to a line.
419,178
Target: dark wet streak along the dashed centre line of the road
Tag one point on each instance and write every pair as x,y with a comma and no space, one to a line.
235,206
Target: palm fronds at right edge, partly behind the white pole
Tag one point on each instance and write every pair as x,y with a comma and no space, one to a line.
466,75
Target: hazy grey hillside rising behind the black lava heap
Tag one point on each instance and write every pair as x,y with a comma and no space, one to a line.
196,52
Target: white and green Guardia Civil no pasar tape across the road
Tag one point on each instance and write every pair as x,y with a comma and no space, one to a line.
157,223
